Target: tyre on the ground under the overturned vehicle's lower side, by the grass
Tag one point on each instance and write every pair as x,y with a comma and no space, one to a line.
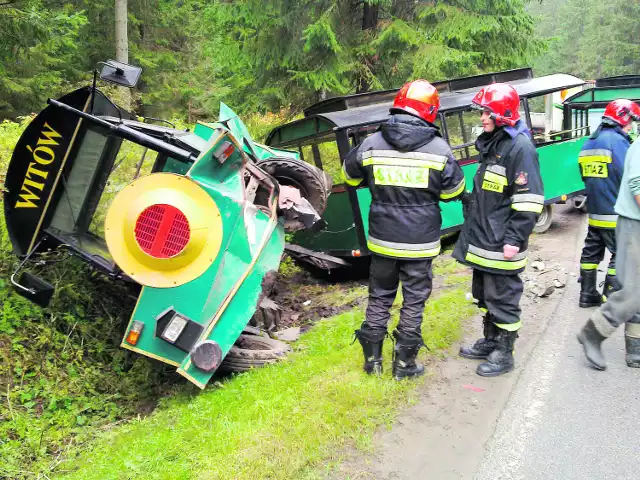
250,351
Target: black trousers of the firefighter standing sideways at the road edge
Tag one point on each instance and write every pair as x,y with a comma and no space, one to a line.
500,296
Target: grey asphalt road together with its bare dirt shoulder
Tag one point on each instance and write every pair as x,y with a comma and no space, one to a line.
552,418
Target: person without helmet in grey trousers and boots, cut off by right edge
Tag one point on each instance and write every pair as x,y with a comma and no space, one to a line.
623,305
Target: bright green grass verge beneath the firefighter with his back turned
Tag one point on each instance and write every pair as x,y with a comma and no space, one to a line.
279,422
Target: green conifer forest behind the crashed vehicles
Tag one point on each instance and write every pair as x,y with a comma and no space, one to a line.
261,57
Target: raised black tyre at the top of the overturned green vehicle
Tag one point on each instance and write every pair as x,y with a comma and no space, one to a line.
313,183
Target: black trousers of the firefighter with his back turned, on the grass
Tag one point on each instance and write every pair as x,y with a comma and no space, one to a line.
384,276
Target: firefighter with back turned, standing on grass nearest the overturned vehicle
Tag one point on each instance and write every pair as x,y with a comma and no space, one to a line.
409,169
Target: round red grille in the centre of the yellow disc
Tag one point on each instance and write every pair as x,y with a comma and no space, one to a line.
162,231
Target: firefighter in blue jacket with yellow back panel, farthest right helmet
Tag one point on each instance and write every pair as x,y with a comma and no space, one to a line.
601,164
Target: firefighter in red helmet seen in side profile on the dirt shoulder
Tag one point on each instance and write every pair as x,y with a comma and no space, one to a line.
506,201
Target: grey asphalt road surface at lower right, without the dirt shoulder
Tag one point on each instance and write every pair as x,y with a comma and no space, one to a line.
564,420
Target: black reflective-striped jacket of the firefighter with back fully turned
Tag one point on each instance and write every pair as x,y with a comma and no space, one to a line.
409,169
